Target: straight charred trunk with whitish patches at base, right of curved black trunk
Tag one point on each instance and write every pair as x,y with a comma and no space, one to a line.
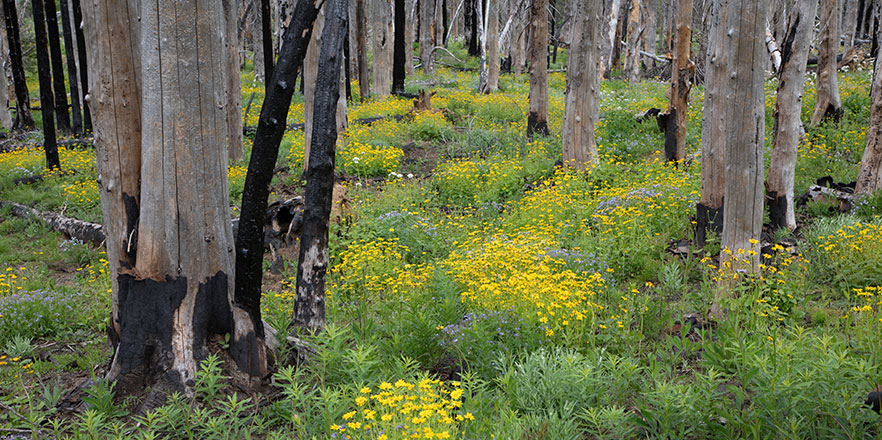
309,299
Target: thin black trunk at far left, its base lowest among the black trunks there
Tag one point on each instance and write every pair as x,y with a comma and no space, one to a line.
46,98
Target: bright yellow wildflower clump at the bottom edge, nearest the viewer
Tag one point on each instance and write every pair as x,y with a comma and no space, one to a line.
423,409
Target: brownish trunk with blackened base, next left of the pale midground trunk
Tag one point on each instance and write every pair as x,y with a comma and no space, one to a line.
537,119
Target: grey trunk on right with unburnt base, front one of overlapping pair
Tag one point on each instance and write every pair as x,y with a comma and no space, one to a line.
743,203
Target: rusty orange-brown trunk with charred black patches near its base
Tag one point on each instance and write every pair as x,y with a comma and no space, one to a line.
681,82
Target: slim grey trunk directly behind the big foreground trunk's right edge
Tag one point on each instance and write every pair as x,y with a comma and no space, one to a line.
233,107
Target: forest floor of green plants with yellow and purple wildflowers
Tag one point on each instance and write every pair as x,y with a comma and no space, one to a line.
477,291
